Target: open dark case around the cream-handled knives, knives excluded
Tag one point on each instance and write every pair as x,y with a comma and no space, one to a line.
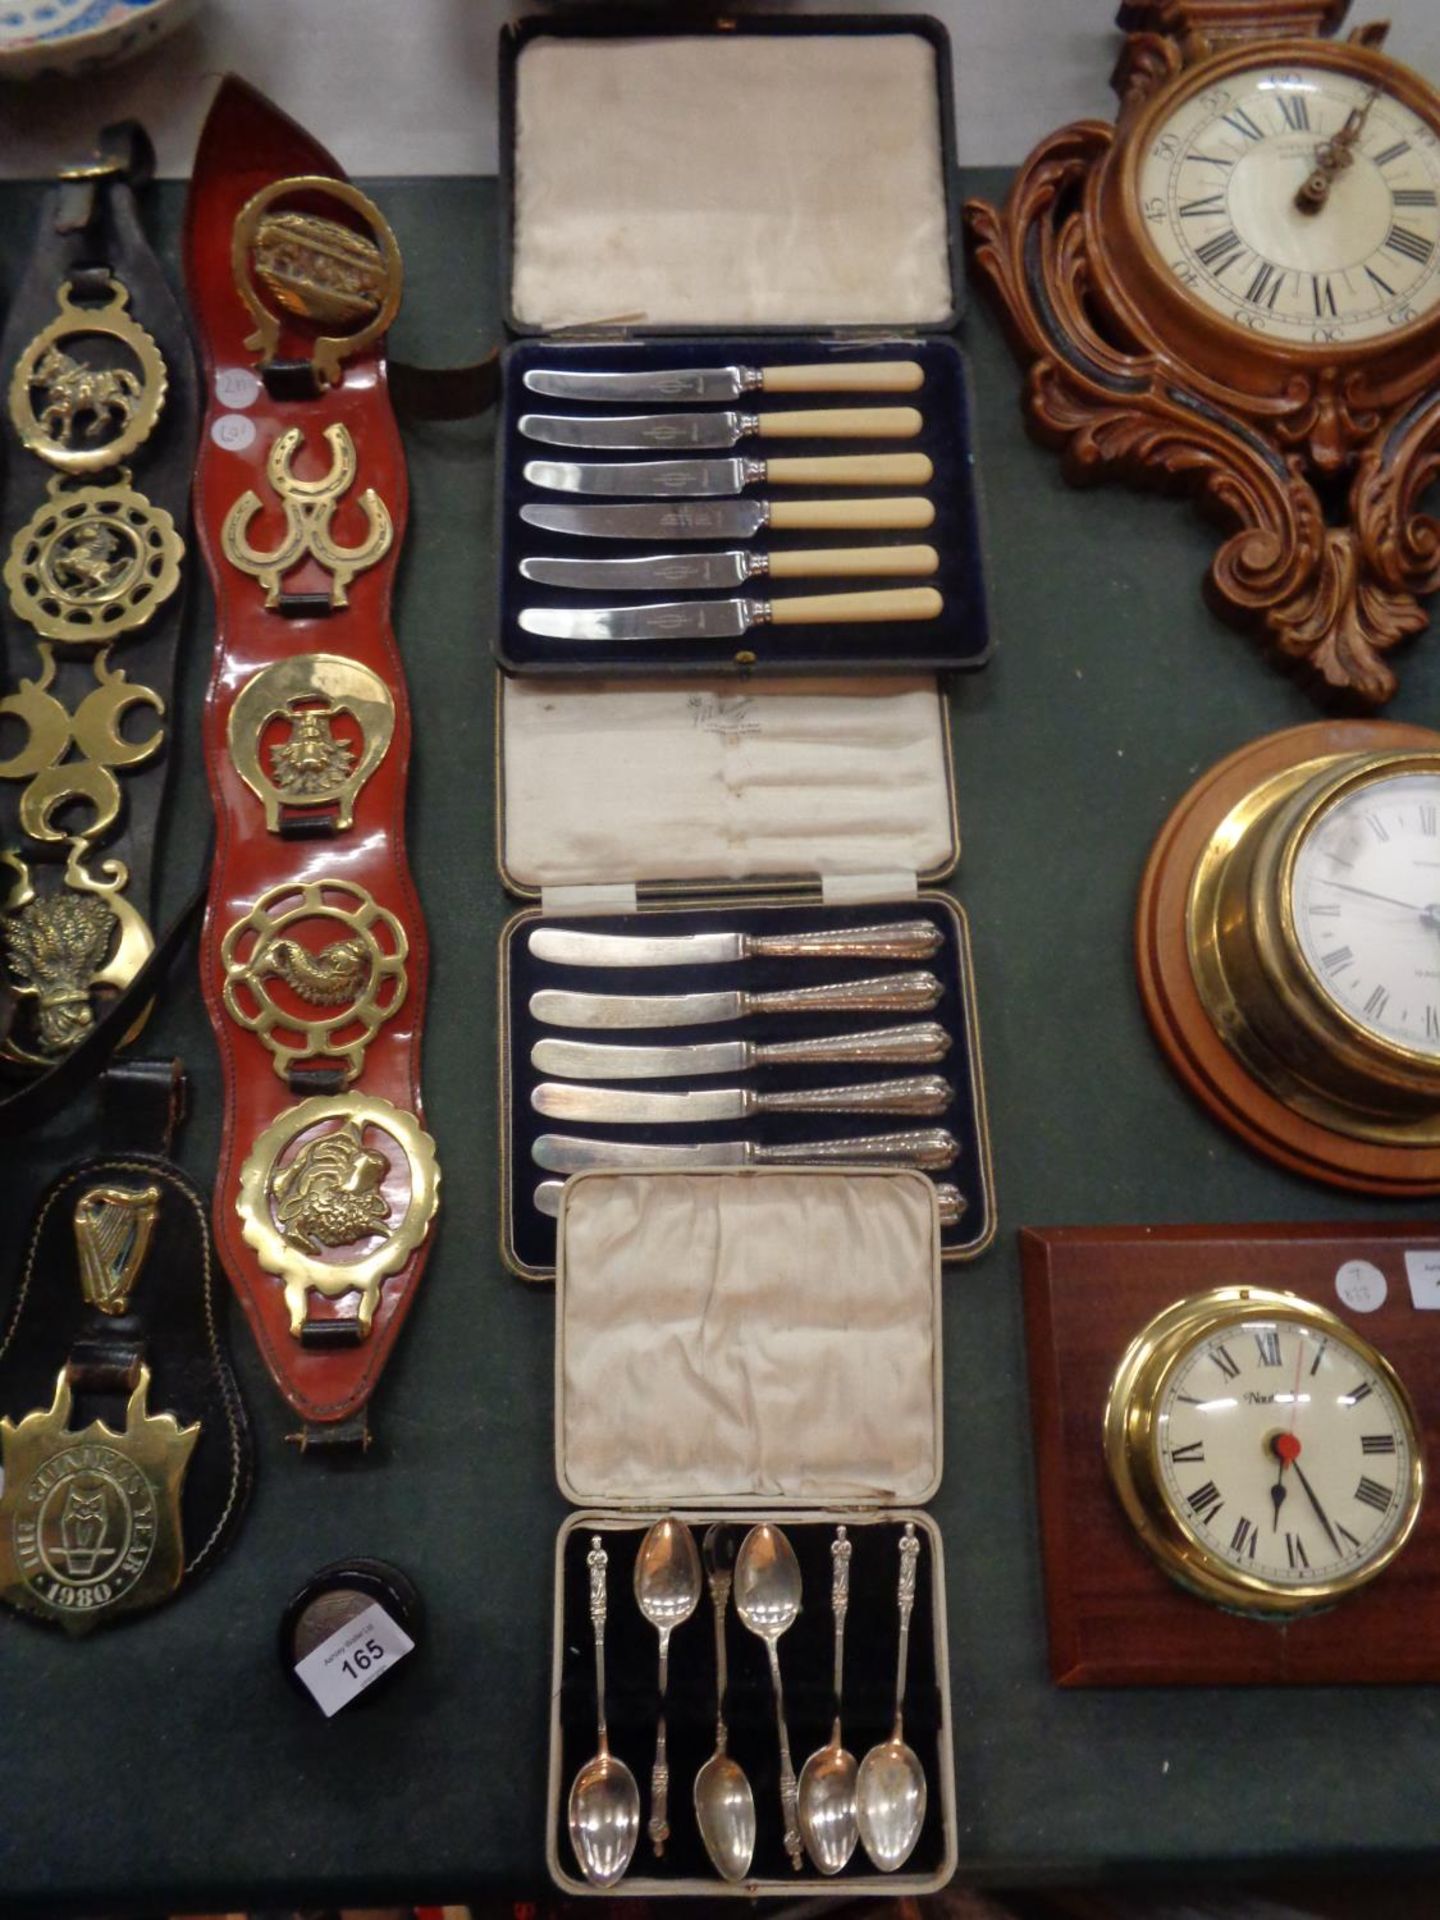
752,191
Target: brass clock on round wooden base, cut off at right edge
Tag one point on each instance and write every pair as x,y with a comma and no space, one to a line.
1289,949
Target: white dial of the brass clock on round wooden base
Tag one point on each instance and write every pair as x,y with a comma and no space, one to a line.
1366,909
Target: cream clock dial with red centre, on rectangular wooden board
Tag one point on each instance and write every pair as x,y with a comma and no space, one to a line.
1285,1454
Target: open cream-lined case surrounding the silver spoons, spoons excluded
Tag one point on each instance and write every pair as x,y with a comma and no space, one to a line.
779,1337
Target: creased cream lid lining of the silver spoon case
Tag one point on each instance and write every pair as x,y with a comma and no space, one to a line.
767,1335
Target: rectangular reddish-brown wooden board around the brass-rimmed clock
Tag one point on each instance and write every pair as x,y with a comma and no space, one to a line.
1115,1618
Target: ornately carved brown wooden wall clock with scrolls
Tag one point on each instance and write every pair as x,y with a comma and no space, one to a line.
1236,291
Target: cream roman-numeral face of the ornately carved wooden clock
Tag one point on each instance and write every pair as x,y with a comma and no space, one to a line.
1226,208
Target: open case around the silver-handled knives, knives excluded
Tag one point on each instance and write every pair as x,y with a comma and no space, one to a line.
656,807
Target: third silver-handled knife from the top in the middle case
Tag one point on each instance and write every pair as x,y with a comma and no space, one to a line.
915,1045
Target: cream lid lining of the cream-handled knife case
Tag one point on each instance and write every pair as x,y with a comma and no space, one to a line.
731,181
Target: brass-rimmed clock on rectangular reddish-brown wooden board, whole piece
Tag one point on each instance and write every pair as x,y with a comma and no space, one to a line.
1320,1387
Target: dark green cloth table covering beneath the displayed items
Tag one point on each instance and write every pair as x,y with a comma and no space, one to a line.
170,1760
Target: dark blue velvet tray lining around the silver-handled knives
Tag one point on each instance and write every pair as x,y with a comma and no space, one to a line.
531,1234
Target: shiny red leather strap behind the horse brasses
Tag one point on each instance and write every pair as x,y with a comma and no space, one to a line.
247,145
